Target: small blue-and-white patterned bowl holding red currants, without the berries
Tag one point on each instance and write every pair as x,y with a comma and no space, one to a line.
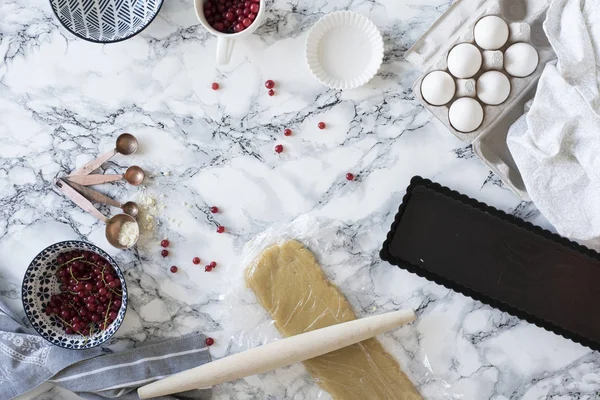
40,282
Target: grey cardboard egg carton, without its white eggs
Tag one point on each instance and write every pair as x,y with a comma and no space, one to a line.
430,52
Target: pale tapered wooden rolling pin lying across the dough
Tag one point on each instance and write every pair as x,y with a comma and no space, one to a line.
277,354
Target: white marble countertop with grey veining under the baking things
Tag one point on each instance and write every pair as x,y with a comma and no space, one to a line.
63,100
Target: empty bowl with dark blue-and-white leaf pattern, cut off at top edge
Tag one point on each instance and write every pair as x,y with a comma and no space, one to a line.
105,21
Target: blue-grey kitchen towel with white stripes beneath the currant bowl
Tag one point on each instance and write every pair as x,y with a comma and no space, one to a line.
27,361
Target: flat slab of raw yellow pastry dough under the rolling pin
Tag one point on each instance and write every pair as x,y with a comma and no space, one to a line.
291,286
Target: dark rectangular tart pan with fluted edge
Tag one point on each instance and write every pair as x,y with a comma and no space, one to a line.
537,261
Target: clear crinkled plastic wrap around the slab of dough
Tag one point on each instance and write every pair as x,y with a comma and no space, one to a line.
251,325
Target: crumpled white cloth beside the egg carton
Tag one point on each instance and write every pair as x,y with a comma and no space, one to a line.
556,145
